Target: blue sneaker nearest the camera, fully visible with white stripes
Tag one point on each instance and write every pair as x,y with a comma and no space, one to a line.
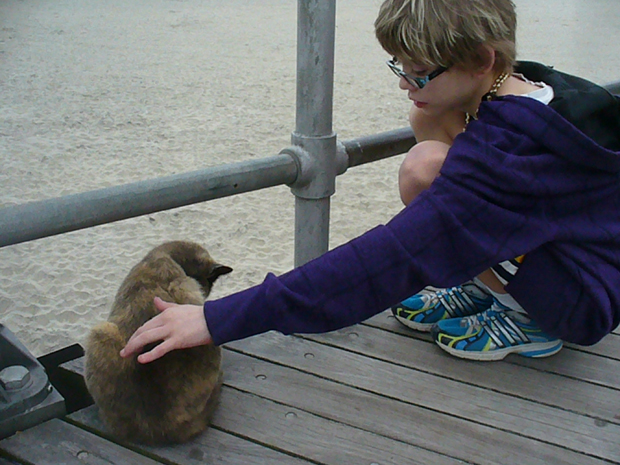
493,334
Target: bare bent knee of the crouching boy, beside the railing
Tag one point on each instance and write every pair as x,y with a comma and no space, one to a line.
420,168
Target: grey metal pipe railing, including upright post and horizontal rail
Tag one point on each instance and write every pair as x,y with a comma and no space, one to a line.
309,167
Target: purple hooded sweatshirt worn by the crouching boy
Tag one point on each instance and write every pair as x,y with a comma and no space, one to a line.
520,180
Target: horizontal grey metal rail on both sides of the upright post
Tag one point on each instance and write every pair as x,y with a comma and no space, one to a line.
35,220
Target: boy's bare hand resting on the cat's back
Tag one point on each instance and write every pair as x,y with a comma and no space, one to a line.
177,326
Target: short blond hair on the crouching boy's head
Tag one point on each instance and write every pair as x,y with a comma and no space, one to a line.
449,32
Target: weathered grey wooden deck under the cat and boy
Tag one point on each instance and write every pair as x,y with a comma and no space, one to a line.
375,393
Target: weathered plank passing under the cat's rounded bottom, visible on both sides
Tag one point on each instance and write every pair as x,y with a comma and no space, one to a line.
212,446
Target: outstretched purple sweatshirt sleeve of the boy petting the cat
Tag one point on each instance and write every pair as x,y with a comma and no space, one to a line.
488,205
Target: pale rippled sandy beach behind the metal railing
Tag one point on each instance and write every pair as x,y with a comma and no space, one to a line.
100,93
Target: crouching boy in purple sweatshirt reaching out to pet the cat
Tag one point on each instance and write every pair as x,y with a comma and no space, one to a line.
514,184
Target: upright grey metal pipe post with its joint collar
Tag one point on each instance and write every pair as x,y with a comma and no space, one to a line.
316,25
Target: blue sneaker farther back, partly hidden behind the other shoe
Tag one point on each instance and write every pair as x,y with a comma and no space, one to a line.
423,310
